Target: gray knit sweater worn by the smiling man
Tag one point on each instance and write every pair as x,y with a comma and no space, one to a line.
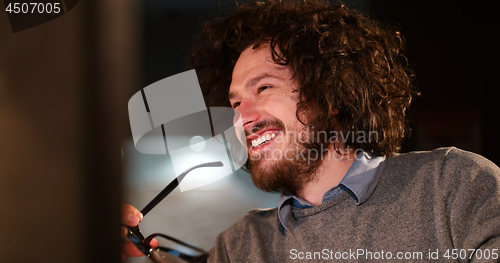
442,205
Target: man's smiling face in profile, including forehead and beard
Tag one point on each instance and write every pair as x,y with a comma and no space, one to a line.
265,95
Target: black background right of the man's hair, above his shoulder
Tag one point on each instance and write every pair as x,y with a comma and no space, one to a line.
451,46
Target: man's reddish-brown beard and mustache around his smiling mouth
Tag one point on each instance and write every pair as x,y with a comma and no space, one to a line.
293,170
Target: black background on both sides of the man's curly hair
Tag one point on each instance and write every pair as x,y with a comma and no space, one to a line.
450,45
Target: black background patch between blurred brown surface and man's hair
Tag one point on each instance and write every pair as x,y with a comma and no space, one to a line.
169,28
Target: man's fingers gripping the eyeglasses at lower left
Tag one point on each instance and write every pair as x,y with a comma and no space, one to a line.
131,217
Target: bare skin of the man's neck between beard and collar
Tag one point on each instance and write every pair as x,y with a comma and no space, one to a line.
329,174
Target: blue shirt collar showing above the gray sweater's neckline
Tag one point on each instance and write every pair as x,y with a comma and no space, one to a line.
359,181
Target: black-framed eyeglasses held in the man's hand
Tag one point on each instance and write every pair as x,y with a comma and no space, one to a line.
176,251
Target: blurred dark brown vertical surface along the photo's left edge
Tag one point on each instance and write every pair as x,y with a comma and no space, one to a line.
64,88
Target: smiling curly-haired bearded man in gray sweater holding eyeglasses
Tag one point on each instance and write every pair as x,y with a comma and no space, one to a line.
322,92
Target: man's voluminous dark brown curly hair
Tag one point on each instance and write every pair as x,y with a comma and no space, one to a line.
352,75
